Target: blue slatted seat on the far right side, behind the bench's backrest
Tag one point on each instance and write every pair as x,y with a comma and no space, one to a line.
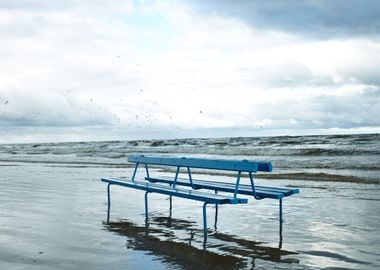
261,192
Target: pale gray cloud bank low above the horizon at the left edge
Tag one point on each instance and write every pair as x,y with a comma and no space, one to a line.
50,109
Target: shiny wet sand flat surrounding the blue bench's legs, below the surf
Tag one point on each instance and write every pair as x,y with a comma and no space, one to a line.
55,217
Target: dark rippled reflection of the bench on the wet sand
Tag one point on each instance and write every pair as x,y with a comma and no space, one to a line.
222,252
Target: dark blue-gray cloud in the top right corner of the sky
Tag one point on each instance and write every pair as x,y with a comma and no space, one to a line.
313,19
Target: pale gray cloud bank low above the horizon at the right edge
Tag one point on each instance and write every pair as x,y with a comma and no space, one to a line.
350,110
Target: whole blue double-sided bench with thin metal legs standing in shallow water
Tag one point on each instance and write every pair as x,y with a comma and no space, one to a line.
199,189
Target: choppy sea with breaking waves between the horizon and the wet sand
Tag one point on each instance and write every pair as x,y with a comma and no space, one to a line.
354,158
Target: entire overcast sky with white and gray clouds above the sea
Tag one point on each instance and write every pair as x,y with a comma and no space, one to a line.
97,70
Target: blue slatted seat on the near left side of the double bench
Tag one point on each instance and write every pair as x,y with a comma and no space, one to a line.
177,192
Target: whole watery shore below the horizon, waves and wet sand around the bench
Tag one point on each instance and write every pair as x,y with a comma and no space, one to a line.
53,212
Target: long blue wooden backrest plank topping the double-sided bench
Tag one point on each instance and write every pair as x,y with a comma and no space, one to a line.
228,165
